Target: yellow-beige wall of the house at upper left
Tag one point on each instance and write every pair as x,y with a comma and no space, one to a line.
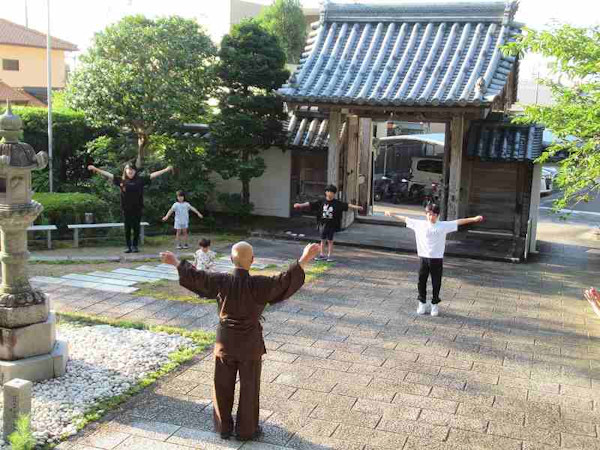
32,67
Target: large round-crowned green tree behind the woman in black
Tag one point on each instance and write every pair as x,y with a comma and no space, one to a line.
145,75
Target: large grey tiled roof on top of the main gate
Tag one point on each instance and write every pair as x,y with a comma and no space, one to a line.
423,53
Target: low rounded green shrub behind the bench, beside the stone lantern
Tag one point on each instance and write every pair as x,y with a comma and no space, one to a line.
62,209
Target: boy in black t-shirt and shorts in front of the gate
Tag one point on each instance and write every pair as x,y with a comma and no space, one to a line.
329,218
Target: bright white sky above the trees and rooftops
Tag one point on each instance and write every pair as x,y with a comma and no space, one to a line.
76,21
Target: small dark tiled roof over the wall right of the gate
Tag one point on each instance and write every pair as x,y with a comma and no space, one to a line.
503,141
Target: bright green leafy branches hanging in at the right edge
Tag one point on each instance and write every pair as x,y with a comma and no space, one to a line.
575,53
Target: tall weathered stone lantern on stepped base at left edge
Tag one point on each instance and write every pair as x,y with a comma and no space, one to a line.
28,346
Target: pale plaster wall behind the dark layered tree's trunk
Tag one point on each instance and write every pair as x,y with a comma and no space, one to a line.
269,193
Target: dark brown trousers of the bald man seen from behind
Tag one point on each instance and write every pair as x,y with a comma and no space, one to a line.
226,369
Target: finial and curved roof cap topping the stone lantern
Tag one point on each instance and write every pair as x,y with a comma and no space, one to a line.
12,152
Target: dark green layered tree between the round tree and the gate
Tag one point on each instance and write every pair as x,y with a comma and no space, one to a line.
251,66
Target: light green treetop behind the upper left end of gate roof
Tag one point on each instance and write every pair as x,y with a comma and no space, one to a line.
285,20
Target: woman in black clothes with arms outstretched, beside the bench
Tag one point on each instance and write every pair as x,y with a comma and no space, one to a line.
131,184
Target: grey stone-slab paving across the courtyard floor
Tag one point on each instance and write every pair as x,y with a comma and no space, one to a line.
512,362
